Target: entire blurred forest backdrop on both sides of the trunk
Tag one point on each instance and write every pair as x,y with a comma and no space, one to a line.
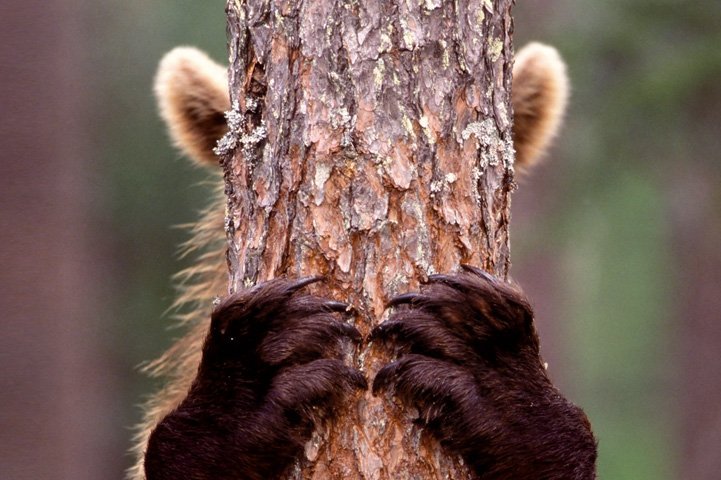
616,237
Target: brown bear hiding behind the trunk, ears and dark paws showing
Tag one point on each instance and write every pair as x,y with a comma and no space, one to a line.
247,389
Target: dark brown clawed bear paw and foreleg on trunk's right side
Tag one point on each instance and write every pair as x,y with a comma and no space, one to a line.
469,363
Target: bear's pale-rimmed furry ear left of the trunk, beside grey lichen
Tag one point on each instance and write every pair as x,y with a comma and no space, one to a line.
192,94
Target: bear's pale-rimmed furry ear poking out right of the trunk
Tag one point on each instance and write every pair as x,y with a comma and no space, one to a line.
539,96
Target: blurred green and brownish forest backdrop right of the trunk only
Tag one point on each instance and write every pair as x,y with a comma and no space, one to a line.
618,237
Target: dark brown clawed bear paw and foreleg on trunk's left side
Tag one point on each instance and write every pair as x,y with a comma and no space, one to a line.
270,371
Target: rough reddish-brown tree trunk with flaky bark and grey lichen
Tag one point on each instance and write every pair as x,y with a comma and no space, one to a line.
370,142
